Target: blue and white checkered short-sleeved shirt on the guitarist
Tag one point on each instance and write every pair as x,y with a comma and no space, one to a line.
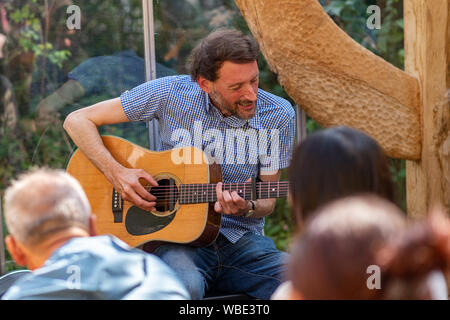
243,147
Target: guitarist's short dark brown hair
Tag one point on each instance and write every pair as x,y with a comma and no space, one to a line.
220,46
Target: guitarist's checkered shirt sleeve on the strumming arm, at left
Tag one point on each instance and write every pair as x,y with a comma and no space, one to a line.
144,102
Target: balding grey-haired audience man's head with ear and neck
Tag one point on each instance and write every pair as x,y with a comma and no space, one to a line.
43,209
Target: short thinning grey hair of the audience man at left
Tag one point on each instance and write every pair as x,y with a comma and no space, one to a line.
42,202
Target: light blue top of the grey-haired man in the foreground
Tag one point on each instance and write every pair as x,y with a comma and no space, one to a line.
101,267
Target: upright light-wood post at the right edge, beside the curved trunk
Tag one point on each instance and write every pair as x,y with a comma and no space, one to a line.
427,57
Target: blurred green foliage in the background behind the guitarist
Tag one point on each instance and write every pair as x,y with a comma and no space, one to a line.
41,54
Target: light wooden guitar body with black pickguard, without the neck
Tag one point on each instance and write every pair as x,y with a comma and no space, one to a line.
190,224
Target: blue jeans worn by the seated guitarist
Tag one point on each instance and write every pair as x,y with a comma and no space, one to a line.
252,265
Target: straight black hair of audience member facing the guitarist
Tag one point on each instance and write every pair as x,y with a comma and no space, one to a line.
334,163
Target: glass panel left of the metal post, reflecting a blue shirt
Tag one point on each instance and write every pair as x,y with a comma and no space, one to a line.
56,58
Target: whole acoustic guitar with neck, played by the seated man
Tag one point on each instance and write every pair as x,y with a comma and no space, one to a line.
185,194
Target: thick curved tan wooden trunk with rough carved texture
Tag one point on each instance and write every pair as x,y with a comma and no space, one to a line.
333,78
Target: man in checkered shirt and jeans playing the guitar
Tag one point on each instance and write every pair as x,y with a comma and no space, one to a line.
221,101
